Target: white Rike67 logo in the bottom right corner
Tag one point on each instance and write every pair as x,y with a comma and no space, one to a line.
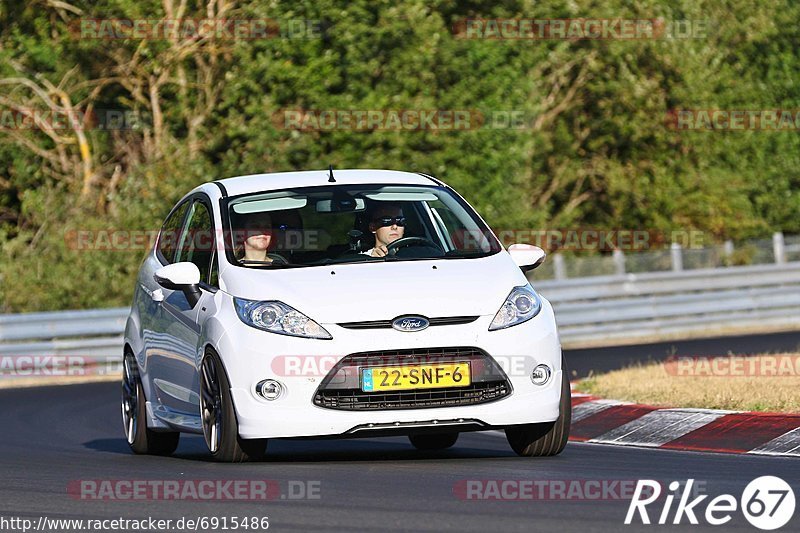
767,503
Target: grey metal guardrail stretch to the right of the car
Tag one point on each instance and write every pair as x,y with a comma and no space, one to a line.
608,310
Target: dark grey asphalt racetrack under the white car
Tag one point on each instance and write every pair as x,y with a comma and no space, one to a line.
53,437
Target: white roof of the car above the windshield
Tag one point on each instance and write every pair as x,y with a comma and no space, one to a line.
311,178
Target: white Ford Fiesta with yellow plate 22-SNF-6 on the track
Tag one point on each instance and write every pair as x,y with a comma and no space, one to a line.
349,303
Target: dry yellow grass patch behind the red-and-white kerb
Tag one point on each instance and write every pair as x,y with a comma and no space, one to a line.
767,383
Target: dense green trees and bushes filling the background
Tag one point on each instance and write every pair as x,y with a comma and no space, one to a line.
596,152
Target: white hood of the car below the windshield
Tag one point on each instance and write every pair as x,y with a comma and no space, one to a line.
384,290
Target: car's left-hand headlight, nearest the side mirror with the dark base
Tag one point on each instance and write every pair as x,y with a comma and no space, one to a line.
277,317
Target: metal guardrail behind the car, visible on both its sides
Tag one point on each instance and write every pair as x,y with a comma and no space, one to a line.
595,311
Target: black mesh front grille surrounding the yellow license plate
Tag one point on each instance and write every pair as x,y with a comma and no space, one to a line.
341,388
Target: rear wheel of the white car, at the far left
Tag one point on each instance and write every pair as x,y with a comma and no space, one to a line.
141,439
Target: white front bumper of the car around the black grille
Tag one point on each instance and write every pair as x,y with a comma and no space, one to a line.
250,356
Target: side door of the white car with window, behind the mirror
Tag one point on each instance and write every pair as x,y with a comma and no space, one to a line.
174,360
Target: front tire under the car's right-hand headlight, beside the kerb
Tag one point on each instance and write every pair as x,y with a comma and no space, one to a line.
549,438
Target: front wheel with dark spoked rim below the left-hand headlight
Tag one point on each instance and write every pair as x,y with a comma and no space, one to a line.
218,416
